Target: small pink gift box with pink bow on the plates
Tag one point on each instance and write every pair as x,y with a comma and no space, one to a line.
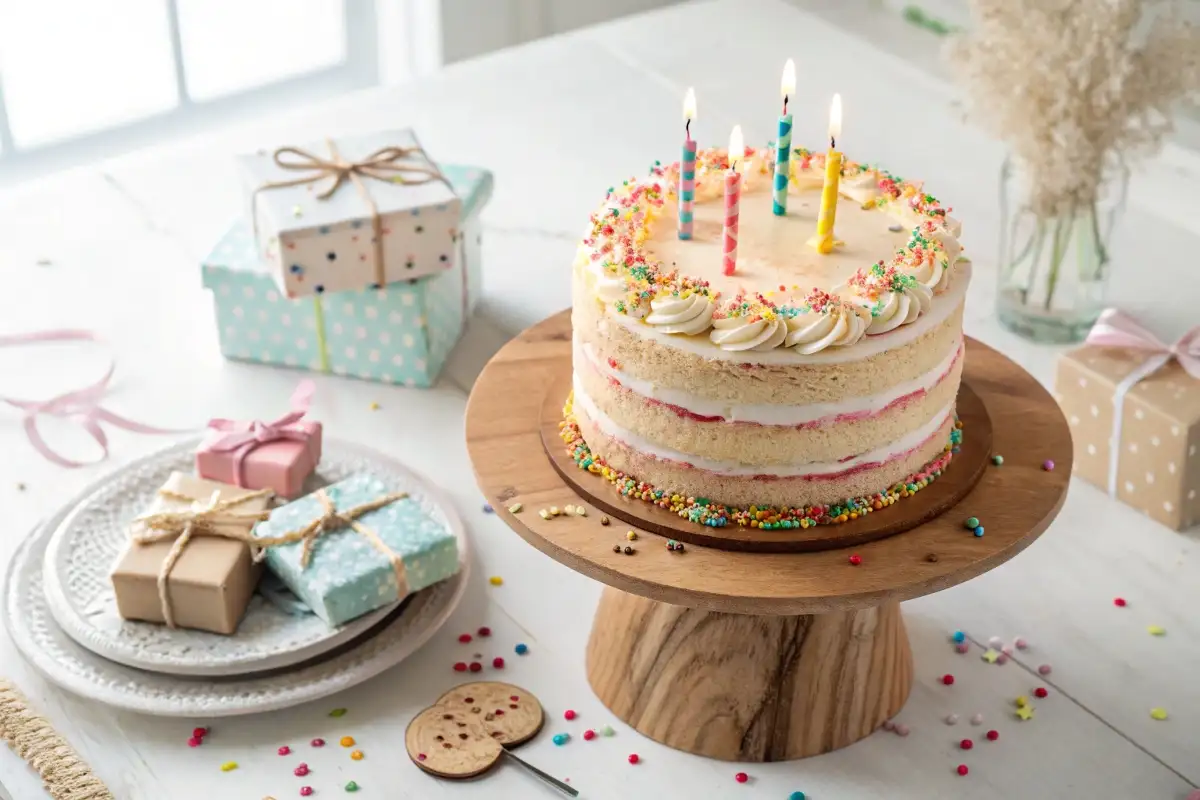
257,455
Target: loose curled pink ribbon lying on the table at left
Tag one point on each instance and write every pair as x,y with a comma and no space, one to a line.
81,406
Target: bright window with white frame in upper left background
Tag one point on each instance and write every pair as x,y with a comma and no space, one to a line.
81,80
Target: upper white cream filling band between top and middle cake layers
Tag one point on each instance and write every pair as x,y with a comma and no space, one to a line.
766,413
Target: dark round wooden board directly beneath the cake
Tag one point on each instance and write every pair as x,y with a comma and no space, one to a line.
957,482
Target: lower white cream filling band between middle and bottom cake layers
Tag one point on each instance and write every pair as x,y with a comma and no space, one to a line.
735,470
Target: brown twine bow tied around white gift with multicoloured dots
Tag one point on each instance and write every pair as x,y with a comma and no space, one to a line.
392,165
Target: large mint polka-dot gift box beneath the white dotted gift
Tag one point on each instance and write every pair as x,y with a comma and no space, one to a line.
401,334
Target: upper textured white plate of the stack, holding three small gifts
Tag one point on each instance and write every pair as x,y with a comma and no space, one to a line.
82,551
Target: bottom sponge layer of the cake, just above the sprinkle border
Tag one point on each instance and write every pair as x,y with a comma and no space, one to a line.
731,485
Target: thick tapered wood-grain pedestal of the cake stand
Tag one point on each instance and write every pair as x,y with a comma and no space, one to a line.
748,689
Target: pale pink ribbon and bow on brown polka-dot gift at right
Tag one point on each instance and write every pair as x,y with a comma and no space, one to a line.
1119,329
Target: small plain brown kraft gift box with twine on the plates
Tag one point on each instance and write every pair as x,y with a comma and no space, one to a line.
212,582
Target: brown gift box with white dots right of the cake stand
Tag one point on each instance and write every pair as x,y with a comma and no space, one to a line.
1135,416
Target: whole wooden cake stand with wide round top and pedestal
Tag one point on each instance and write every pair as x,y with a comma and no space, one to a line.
755,657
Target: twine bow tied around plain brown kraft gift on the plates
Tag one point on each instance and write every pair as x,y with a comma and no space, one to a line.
212,518
